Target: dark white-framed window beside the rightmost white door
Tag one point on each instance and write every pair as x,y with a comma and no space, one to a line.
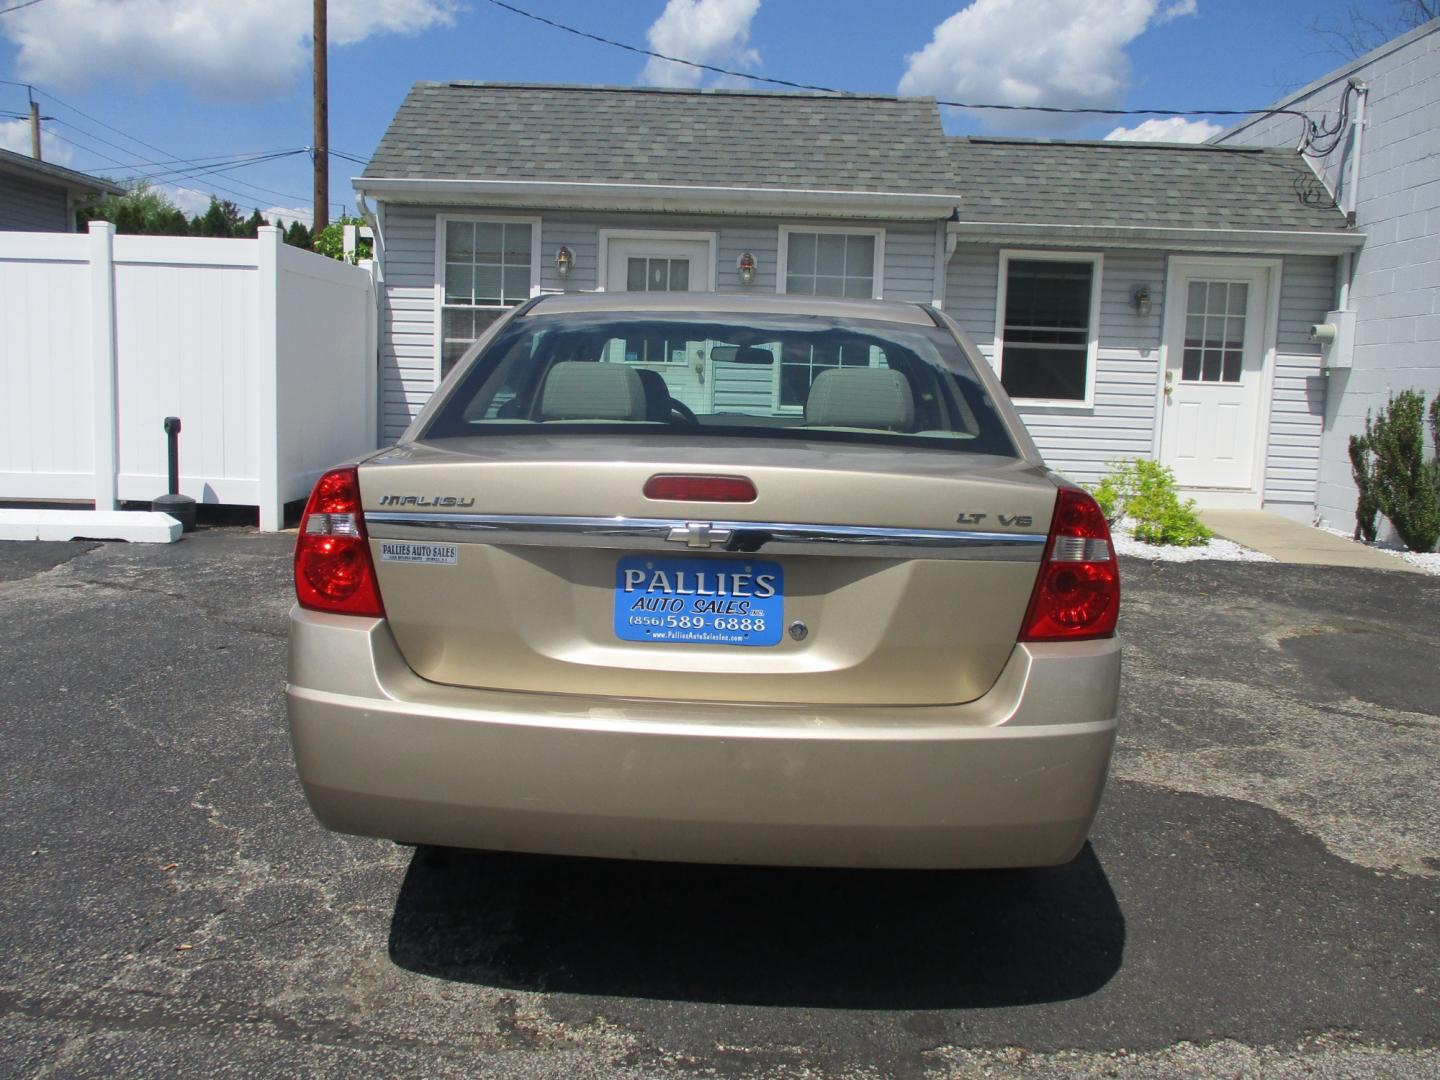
1048,339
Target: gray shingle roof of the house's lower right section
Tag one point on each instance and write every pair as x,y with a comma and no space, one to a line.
1158,185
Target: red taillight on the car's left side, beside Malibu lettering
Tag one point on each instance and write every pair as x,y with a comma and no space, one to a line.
333,567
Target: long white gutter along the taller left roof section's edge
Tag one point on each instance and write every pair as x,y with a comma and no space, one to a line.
551,195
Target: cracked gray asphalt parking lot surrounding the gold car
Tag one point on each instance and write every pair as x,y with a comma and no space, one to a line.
1259,898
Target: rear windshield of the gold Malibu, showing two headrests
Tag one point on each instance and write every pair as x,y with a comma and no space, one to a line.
725,377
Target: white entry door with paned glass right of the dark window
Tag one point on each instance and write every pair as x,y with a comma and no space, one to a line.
1216,346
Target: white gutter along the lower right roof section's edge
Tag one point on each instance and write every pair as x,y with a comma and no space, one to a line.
1232,241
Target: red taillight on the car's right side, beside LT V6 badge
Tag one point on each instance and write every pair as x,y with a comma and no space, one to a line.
1078,591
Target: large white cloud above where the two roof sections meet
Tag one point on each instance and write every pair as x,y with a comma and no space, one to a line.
1036,53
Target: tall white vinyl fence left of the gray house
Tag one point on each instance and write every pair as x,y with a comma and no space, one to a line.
264,352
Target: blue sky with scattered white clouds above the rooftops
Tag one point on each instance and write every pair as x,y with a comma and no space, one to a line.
142,87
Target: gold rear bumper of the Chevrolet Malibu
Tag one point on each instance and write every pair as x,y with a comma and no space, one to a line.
1010,780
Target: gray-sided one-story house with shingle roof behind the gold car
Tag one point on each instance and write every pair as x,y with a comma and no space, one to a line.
1138,300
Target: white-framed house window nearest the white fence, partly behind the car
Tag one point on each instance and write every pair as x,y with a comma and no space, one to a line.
489,269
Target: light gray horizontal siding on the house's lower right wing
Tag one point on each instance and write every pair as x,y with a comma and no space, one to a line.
1079,443
